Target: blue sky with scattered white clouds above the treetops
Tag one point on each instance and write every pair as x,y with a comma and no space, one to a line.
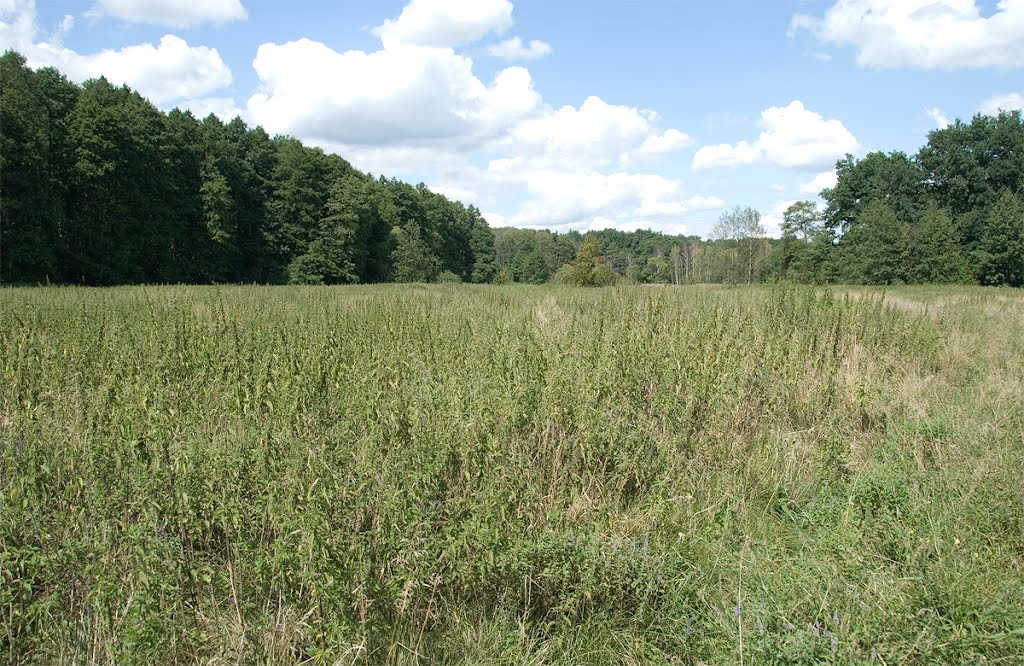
562,114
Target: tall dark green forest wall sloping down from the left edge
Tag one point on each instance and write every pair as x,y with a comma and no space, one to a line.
98,187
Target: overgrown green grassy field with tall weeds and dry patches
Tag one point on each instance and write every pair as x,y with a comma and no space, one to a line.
511,476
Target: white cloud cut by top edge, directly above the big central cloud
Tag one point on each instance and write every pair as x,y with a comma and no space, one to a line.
446,23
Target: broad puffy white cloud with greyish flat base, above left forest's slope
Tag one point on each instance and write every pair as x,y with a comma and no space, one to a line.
401,95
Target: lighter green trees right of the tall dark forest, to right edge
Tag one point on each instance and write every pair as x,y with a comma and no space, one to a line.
954,214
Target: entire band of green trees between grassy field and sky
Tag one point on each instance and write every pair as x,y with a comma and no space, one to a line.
99,187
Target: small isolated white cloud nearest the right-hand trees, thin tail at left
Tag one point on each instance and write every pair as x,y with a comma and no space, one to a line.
792,137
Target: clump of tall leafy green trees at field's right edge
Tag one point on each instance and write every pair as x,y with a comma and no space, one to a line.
954,214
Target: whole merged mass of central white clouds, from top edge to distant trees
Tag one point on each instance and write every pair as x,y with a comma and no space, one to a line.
415,108
